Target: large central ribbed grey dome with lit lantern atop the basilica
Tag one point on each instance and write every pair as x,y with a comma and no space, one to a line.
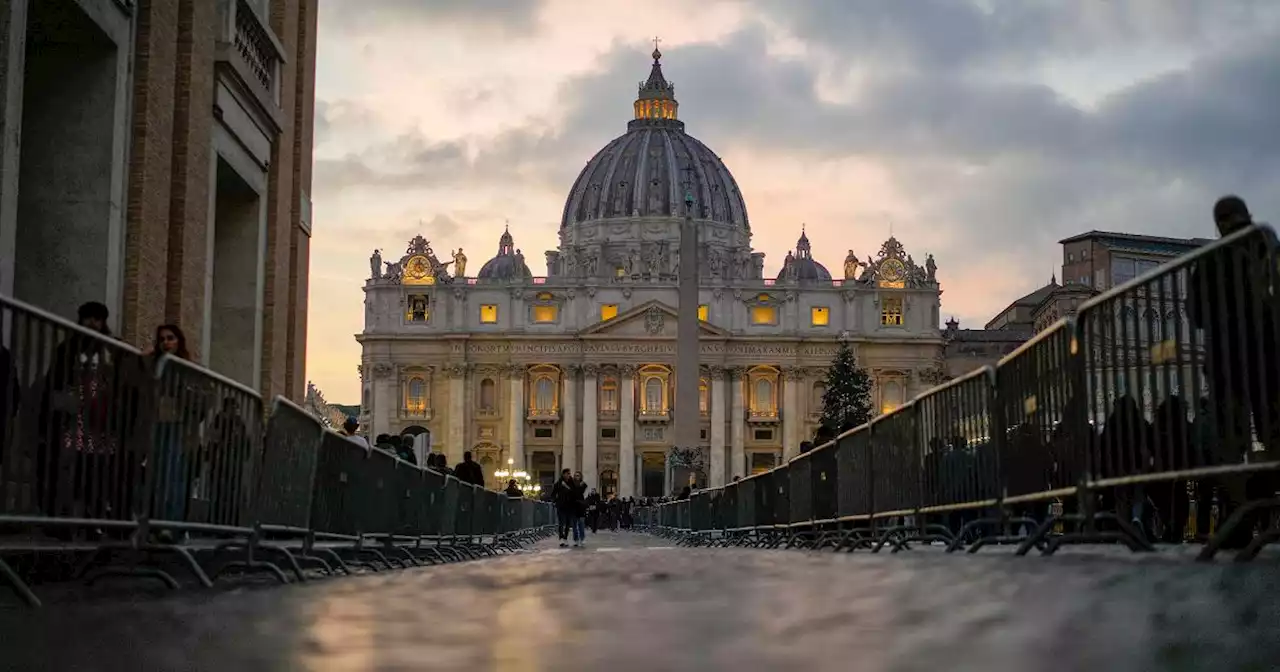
651,170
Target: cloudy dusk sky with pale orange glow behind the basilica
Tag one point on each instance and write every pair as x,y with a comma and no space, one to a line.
981,131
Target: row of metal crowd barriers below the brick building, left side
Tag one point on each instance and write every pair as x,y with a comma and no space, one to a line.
141,465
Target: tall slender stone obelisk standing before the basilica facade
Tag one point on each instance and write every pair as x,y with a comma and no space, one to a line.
687,332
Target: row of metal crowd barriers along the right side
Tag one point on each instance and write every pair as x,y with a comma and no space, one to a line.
1151,417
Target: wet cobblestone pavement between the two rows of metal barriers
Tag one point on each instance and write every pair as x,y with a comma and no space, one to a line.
633,604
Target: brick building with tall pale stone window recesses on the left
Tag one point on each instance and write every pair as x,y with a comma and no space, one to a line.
157,157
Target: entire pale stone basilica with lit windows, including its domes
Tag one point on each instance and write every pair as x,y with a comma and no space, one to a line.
575,368
